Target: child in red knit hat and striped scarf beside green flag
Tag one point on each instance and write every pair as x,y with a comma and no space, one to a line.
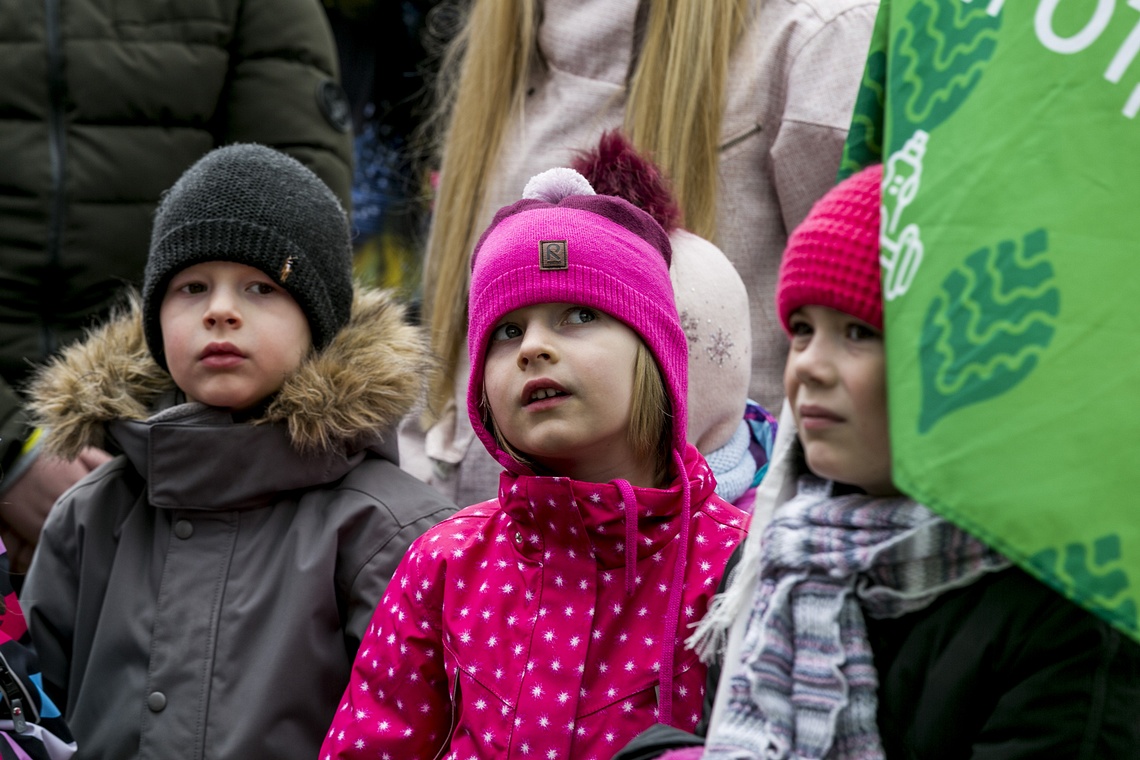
861,625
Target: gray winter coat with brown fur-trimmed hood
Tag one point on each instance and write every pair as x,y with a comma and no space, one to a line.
205,594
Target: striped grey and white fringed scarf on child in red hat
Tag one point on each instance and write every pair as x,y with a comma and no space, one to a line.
805,685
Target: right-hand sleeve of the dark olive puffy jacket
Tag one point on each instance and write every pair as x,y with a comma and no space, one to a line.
284,89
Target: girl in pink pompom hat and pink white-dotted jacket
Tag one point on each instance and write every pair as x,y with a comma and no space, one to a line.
548,624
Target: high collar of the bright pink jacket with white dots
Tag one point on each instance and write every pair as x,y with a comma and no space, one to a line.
591,518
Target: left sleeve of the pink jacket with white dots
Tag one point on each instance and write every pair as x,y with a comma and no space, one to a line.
398,702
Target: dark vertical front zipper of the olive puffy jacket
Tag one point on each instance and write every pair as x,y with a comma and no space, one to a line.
58,151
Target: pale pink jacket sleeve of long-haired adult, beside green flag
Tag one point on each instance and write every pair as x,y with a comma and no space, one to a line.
824,79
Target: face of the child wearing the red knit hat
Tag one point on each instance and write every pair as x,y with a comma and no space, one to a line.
836,383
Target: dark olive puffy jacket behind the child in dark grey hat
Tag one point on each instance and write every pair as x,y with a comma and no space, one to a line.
105,103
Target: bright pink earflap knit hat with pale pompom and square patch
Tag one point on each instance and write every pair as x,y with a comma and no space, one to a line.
564,243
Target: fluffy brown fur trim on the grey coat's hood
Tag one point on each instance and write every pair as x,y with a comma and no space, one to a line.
359,388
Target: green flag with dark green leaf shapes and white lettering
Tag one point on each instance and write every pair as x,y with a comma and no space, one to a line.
1011,250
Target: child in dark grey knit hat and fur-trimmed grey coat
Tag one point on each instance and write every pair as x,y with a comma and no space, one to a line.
205,593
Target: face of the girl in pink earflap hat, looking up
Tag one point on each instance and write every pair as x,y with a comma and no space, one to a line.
559,380
